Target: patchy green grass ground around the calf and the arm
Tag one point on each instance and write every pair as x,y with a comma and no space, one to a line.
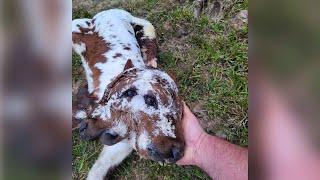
209,57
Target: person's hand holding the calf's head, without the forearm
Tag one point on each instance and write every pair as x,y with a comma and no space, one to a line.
193,135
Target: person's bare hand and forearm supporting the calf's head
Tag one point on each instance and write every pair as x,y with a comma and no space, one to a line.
218,158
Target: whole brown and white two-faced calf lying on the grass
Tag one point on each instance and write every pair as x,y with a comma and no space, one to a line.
130,105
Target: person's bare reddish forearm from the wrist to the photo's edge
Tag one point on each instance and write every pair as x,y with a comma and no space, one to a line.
221,159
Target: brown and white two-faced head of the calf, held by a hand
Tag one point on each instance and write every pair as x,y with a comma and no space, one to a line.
143,106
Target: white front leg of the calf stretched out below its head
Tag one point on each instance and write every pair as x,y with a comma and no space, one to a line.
109,157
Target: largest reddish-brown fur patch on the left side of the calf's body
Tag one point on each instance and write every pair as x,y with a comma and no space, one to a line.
95,48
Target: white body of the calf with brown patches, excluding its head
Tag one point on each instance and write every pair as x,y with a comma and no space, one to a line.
106,43
